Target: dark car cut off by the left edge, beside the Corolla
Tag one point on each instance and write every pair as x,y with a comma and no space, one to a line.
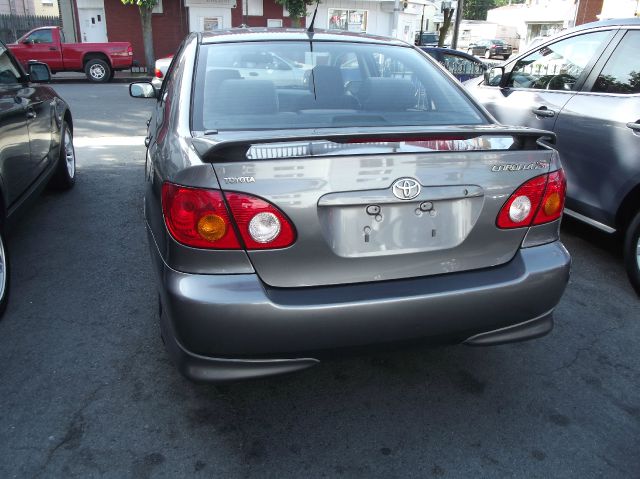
36,146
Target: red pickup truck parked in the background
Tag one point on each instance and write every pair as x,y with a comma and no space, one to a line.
98,60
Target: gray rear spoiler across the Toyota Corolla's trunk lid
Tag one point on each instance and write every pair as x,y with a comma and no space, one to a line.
242,146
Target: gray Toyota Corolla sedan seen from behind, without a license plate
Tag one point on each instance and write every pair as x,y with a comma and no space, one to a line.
308,192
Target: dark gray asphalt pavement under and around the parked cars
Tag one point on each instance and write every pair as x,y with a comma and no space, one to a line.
86,389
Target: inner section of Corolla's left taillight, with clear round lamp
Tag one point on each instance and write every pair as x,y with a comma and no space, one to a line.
261,225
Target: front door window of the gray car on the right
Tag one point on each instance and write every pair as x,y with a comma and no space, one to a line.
558,66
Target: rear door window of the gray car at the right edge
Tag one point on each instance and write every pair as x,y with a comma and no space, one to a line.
621,74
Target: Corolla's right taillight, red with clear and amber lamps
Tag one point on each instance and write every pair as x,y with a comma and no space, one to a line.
538,201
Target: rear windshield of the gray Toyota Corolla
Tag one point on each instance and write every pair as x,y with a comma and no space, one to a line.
291,85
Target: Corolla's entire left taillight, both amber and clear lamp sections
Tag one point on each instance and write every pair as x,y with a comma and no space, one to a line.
199,218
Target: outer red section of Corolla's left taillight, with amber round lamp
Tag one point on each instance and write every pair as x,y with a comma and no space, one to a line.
197,217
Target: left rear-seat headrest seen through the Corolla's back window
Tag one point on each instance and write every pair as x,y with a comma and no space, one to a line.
246,97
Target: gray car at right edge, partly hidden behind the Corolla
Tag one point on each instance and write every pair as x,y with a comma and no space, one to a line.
584,84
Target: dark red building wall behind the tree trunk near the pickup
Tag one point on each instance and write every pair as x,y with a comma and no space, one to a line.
169,27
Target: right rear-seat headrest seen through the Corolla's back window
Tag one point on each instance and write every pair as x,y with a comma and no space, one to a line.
387,94
